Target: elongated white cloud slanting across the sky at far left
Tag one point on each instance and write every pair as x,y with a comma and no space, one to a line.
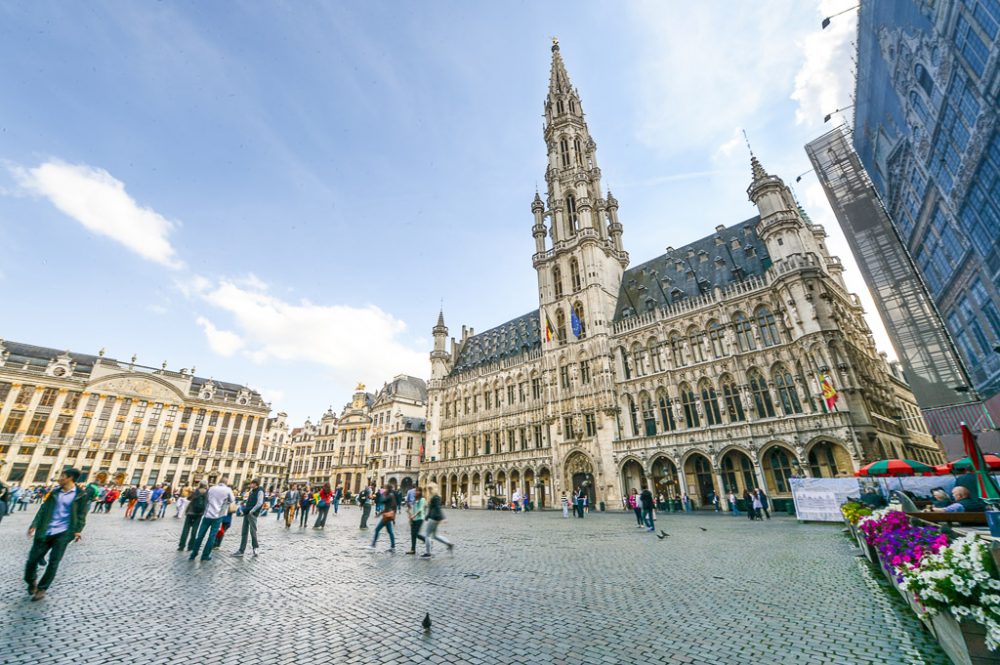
99,202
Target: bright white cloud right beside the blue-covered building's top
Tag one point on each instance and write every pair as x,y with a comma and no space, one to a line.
824,82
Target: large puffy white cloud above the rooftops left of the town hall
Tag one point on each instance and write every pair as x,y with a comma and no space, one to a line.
356,343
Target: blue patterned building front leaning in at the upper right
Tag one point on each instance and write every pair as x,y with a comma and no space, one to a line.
926,130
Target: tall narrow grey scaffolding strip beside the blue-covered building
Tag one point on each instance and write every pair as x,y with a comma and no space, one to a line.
925,350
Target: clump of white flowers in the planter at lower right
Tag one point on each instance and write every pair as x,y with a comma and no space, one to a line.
963,579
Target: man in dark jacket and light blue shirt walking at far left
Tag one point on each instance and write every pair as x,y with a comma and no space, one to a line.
58,522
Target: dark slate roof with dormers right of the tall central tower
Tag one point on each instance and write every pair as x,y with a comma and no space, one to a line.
729,255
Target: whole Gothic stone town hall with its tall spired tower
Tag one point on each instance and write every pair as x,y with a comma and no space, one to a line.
698,372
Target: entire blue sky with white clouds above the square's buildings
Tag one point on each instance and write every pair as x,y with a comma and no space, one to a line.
283,194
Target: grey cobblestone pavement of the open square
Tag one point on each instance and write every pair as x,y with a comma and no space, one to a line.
532,588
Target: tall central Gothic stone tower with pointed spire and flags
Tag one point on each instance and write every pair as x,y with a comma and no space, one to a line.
579,275
